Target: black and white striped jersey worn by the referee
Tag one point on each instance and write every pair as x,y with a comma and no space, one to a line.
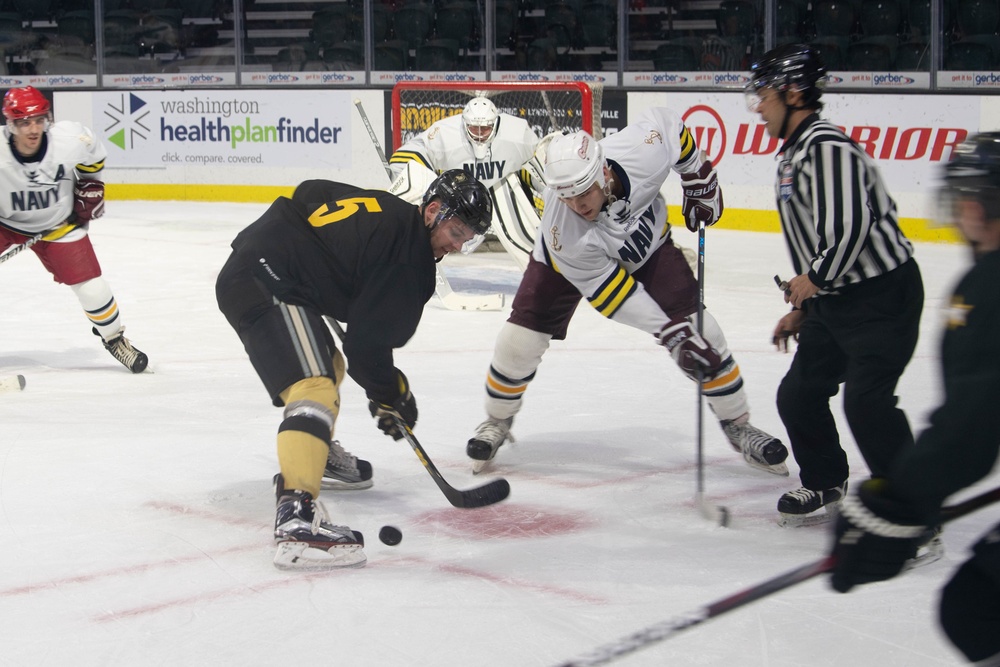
838,219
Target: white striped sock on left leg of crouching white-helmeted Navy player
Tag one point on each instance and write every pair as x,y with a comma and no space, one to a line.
516,356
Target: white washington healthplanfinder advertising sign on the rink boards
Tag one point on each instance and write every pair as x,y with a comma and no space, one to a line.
225,128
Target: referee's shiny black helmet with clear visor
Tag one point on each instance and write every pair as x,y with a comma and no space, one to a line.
790,67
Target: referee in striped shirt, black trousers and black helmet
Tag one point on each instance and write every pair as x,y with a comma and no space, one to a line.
856,294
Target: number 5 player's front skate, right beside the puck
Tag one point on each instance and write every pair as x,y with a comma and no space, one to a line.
305,538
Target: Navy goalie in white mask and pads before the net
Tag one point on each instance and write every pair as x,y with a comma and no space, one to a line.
490,146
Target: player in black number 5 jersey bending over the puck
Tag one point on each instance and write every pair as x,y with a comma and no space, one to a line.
364,257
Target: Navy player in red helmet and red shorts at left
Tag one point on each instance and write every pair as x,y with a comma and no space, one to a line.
49,176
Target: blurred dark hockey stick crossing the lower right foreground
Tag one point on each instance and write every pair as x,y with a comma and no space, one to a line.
666,629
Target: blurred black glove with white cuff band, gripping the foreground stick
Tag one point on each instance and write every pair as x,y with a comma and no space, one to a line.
875,535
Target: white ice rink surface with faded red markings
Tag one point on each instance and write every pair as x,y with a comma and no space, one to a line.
136,512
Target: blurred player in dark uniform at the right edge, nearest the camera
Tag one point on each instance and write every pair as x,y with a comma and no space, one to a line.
881,525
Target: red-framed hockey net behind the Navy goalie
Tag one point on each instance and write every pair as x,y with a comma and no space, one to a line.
547,106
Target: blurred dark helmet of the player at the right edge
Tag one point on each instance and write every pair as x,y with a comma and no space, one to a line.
974,172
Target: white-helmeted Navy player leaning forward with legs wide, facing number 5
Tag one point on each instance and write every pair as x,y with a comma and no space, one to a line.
605,236
